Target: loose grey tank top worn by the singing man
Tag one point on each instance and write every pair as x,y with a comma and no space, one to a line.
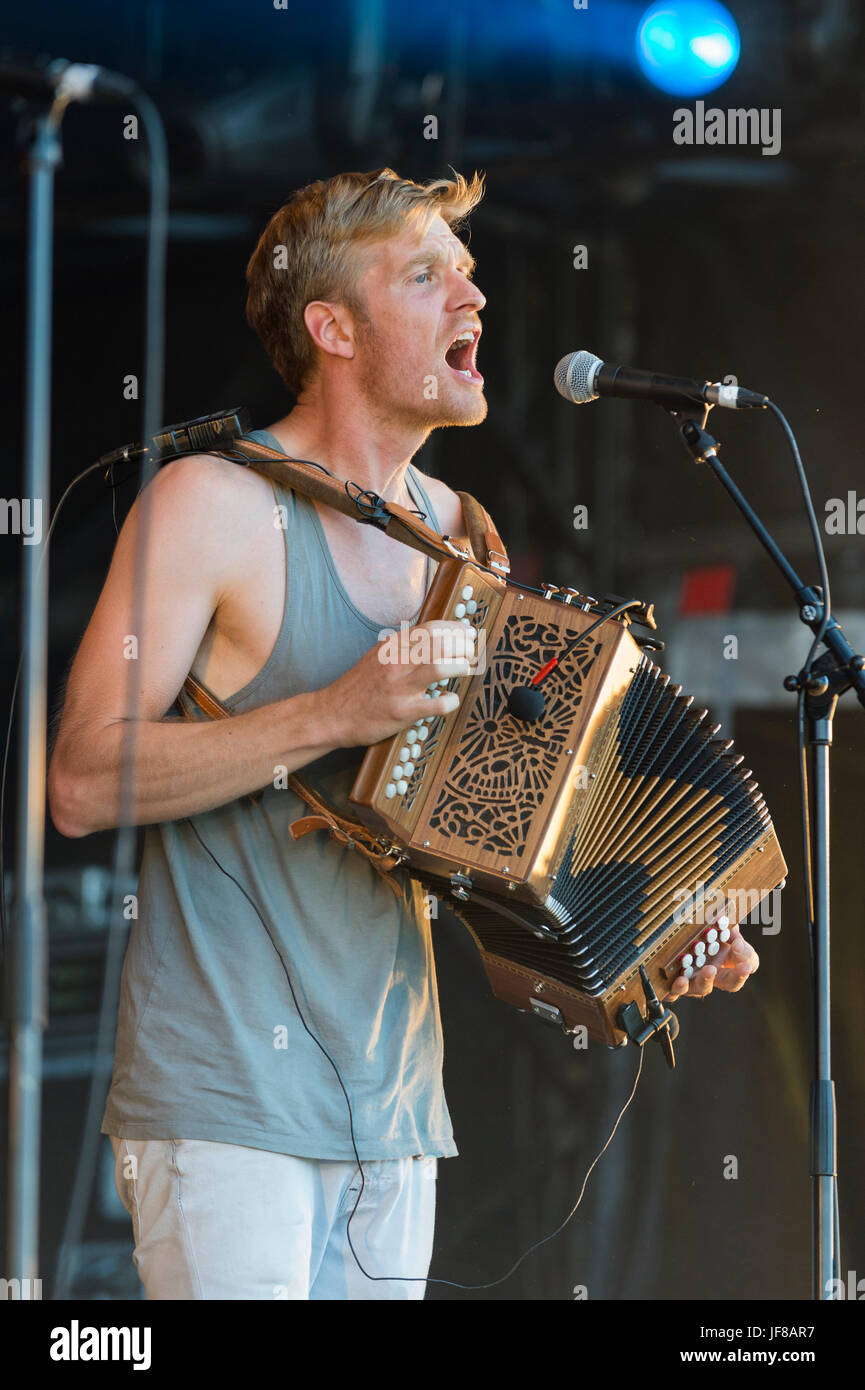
211,1043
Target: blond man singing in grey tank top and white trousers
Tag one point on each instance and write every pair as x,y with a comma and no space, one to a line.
279,1010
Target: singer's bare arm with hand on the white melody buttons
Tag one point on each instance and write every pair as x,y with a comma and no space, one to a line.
187,768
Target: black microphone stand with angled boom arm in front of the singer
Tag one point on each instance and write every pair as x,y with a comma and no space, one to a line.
832,675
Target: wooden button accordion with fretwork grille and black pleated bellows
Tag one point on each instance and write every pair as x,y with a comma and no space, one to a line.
604,837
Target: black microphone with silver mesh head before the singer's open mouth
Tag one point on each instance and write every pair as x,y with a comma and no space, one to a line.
582,377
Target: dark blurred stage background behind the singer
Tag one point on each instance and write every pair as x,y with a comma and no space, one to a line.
700,262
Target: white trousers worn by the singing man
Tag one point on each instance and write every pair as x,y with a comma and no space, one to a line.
223,1221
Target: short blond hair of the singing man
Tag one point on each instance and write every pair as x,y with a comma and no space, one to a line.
316,236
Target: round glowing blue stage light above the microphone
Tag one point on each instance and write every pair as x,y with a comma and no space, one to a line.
688,49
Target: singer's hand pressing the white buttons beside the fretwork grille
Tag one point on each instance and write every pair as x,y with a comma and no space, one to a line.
387,690
